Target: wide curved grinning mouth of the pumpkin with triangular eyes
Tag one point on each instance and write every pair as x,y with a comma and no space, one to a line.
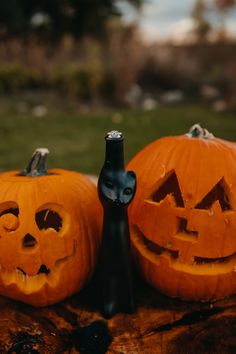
155,252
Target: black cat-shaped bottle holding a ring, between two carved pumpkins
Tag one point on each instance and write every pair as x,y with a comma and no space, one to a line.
116,189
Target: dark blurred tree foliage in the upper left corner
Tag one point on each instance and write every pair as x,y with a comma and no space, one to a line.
53,18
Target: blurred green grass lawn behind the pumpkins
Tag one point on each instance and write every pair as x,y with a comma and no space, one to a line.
76,140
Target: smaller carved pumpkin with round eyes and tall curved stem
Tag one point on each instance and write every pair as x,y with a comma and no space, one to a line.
50,225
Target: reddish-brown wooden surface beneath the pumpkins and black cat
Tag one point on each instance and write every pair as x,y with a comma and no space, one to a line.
160,325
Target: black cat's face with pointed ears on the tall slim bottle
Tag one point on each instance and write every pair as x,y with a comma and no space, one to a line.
116,188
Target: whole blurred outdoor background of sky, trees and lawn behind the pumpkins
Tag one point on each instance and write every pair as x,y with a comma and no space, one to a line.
72,70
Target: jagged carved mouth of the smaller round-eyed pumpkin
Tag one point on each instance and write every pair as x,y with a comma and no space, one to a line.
33,283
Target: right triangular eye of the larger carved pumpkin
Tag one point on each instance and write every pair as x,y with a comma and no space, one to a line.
219,192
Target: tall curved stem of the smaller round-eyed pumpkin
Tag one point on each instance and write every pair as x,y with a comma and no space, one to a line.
37,164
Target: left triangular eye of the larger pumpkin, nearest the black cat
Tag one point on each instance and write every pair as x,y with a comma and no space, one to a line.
169,186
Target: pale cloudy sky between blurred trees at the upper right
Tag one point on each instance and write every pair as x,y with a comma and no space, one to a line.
171,19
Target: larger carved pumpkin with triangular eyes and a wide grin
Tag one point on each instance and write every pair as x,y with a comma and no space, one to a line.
183,218
